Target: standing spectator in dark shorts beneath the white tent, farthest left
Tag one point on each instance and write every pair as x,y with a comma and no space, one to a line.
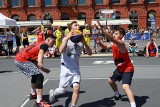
9,39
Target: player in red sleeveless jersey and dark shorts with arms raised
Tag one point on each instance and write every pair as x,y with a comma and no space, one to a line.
125,69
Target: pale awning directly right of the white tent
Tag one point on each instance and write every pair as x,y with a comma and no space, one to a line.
33,23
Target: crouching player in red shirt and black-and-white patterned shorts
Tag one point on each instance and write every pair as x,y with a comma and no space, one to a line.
30,62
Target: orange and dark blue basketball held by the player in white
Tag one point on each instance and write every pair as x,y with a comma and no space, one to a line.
77,37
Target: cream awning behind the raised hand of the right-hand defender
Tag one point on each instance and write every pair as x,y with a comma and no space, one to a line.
113,22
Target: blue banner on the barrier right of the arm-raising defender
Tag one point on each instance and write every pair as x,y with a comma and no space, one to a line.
137,36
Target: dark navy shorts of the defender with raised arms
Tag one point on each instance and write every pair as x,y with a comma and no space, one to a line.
125,77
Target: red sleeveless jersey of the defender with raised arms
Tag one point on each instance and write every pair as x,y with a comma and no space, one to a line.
122,60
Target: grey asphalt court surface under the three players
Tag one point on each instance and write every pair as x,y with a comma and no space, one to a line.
95,91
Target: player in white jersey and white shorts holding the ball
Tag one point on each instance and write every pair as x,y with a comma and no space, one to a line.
70,72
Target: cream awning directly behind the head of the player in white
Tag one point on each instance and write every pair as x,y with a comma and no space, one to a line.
65,22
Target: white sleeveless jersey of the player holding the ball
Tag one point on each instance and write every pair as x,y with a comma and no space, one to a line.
70,57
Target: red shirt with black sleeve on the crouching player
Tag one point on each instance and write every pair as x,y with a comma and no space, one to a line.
30,53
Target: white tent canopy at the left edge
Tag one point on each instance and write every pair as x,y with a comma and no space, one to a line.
6,21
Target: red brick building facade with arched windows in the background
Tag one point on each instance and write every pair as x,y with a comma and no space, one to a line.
142,13
